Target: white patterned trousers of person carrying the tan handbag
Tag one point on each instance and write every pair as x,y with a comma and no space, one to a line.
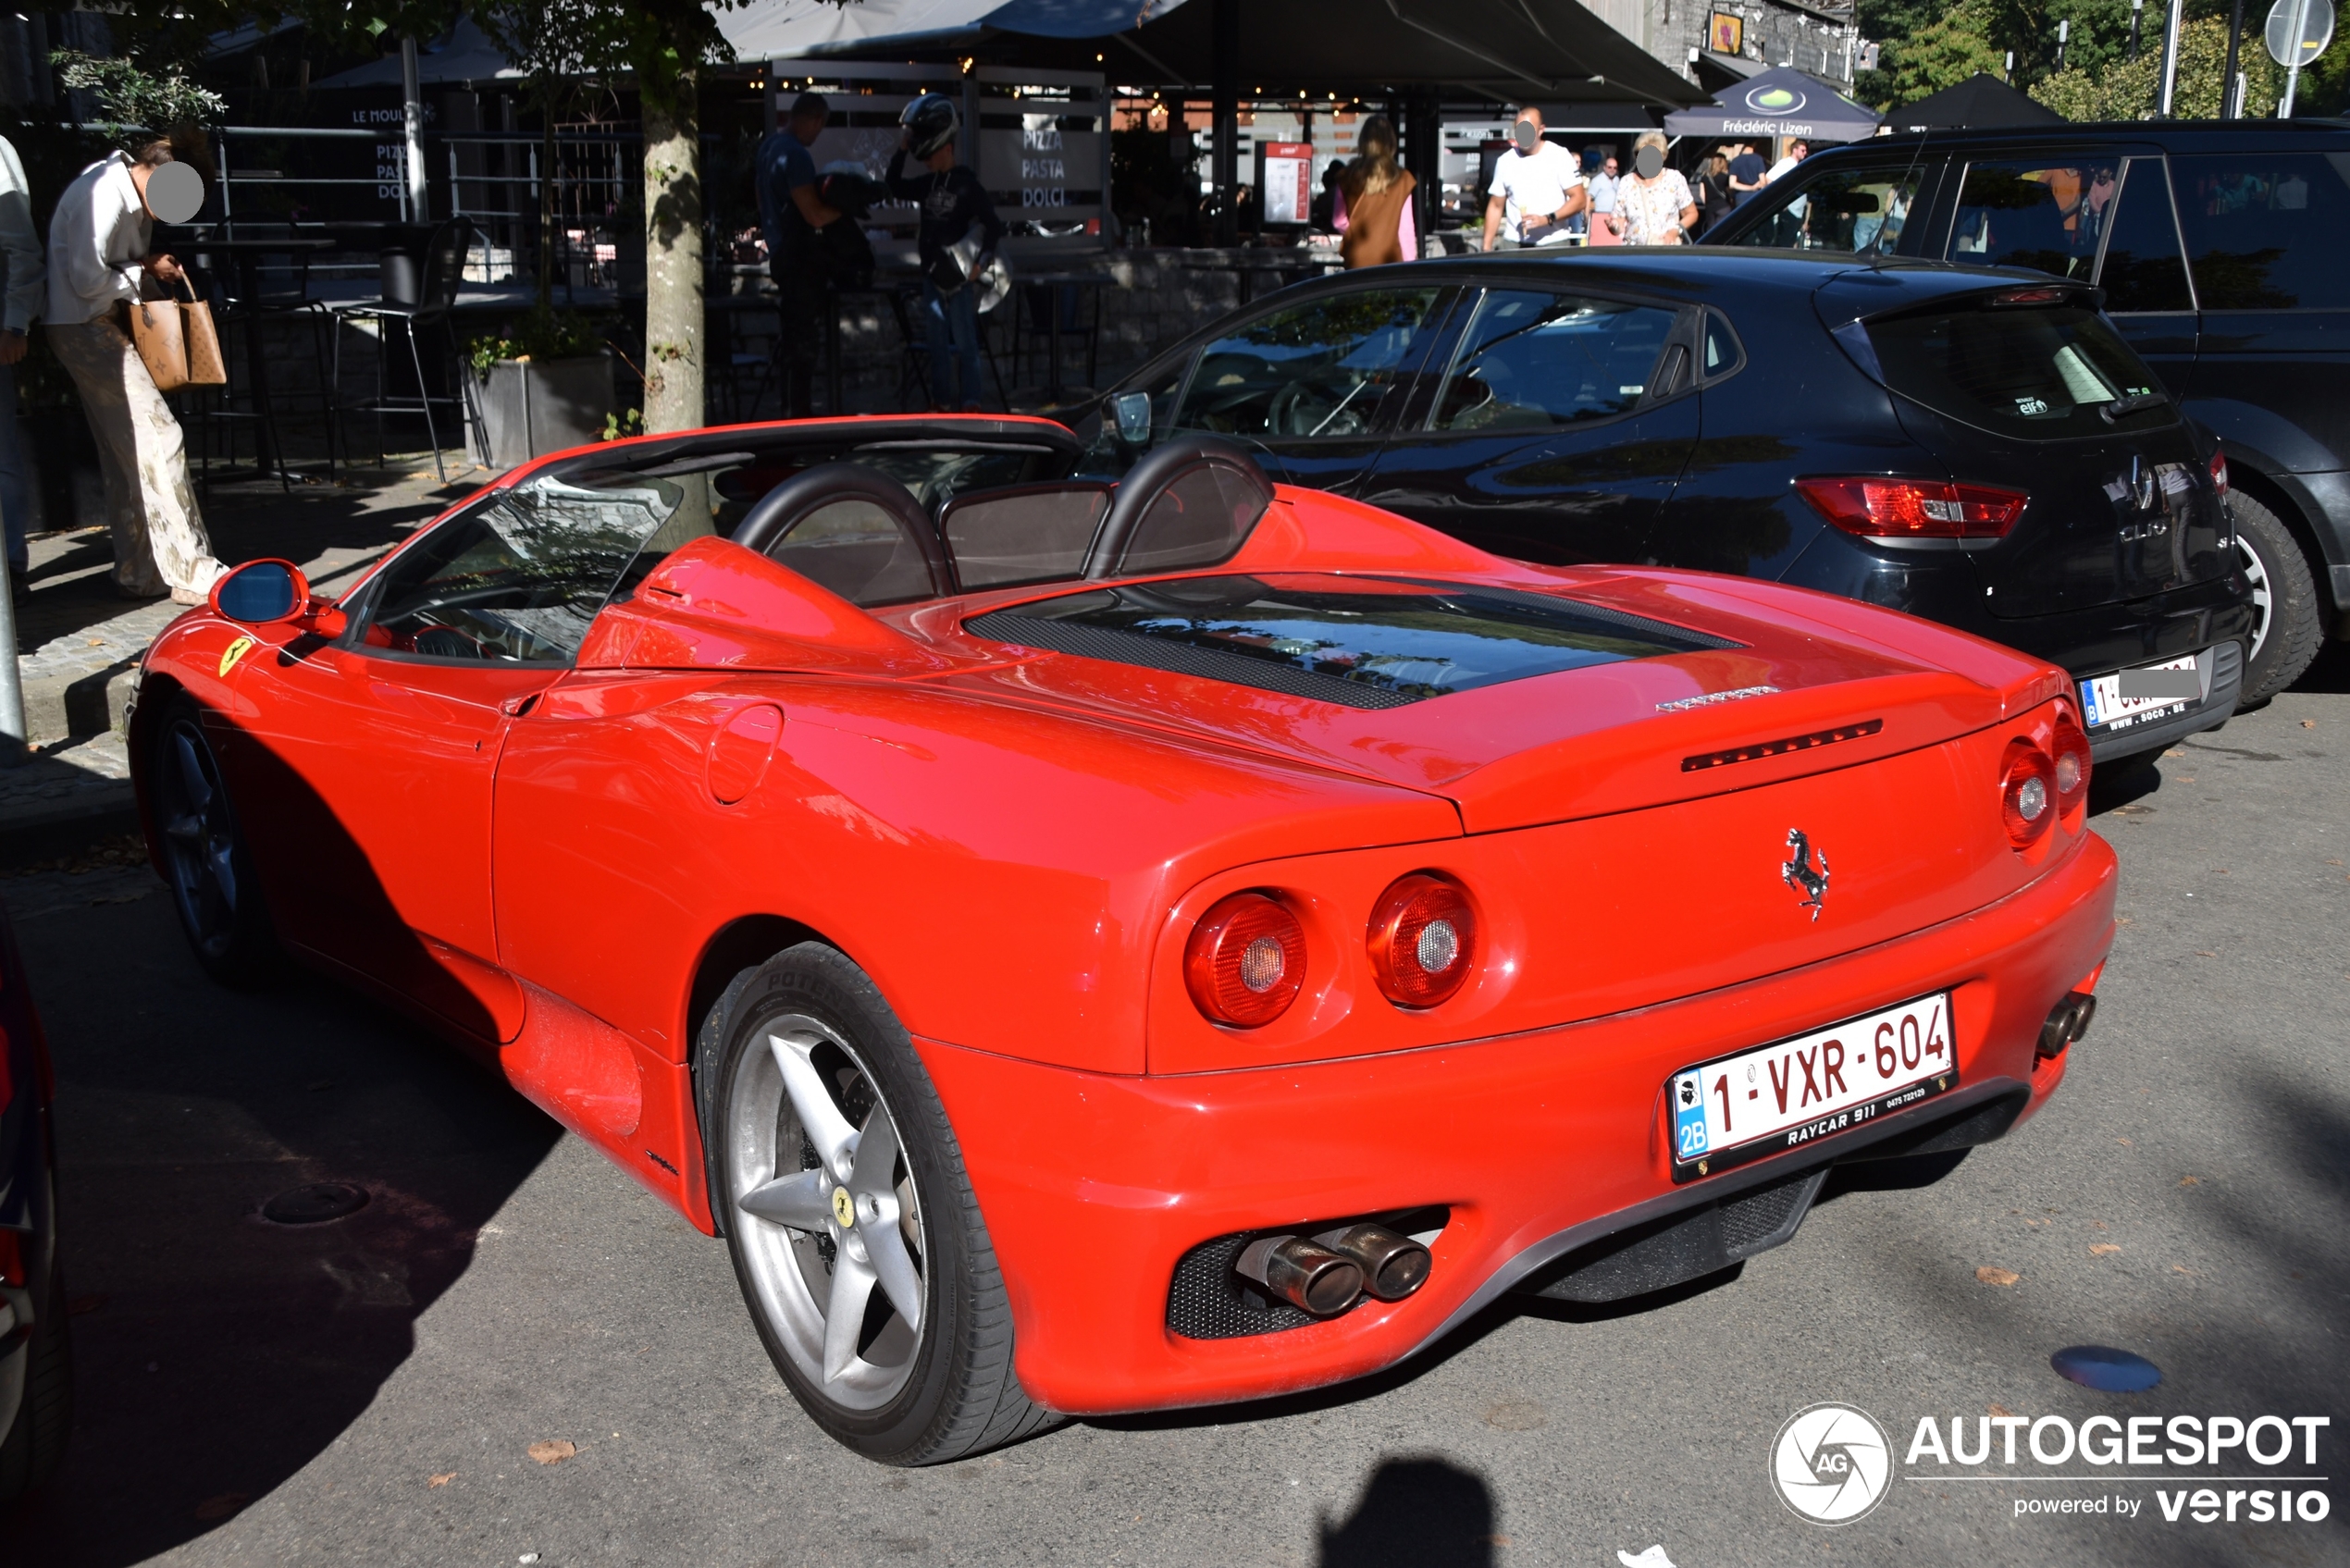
161,544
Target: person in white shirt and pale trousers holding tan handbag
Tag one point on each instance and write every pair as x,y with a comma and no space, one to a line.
98,262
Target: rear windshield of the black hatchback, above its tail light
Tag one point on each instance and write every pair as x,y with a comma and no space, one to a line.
2032,370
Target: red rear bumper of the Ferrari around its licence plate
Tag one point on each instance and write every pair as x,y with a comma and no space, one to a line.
1538,1144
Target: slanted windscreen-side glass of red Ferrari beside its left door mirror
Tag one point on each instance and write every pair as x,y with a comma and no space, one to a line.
521,579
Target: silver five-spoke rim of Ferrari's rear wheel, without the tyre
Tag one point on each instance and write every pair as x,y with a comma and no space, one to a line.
828,1214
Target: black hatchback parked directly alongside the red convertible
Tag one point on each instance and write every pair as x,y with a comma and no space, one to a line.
1968,445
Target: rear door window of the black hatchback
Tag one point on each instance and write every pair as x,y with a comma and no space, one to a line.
1536,361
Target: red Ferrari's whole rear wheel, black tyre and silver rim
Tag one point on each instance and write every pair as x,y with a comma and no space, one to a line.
854,1231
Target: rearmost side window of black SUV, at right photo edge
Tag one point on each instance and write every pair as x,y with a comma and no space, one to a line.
2267,232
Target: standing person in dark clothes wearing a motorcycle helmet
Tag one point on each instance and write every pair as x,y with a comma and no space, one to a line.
960,229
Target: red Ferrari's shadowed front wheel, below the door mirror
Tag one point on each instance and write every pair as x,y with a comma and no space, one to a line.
203,852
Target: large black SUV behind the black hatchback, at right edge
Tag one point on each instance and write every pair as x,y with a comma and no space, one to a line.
2224,253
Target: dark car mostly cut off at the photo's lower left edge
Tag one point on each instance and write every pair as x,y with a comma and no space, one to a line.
34,1362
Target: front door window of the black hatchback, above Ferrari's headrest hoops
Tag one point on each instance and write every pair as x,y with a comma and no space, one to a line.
1315,370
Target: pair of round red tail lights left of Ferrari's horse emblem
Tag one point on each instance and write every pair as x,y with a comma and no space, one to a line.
1247,960
